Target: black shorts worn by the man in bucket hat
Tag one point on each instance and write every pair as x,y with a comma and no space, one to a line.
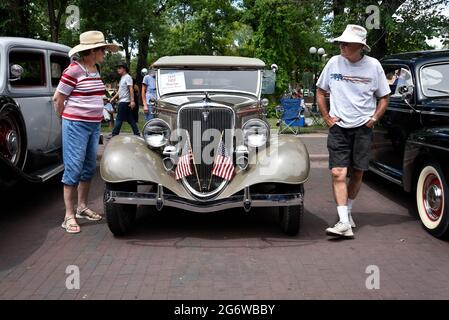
349,148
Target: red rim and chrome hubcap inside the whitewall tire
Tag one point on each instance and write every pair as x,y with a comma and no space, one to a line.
433,197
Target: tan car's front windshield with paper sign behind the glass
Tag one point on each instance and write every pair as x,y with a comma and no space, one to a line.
171,81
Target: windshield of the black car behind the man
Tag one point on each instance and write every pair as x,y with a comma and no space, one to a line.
435,80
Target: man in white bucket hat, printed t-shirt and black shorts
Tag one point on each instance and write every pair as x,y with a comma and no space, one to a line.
355,81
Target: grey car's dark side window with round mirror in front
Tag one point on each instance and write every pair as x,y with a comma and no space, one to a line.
33,65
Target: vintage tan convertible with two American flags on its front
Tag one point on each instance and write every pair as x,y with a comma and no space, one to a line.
208,148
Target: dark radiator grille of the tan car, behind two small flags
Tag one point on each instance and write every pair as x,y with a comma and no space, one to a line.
217,118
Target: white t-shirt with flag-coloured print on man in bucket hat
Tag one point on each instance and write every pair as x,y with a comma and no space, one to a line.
353,89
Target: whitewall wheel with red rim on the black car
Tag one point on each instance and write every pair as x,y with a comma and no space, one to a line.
432,199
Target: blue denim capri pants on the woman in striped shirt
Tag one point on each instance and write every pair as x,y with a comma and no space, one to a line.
79,150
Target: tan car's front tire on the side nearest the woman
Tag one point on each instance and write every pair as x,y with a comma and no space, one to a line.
120,217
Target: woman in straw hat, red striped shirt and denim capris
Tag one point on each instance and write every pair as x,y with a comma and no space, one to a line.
78,100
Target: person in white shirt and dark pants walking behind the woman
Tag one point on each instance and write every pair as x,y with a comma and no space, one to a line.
127,102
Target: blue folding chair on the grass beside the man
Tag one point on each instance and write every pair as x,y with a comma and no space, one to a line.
289,115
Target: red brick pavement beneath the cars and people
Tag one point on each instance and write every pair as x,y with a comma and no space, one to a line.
226,255
